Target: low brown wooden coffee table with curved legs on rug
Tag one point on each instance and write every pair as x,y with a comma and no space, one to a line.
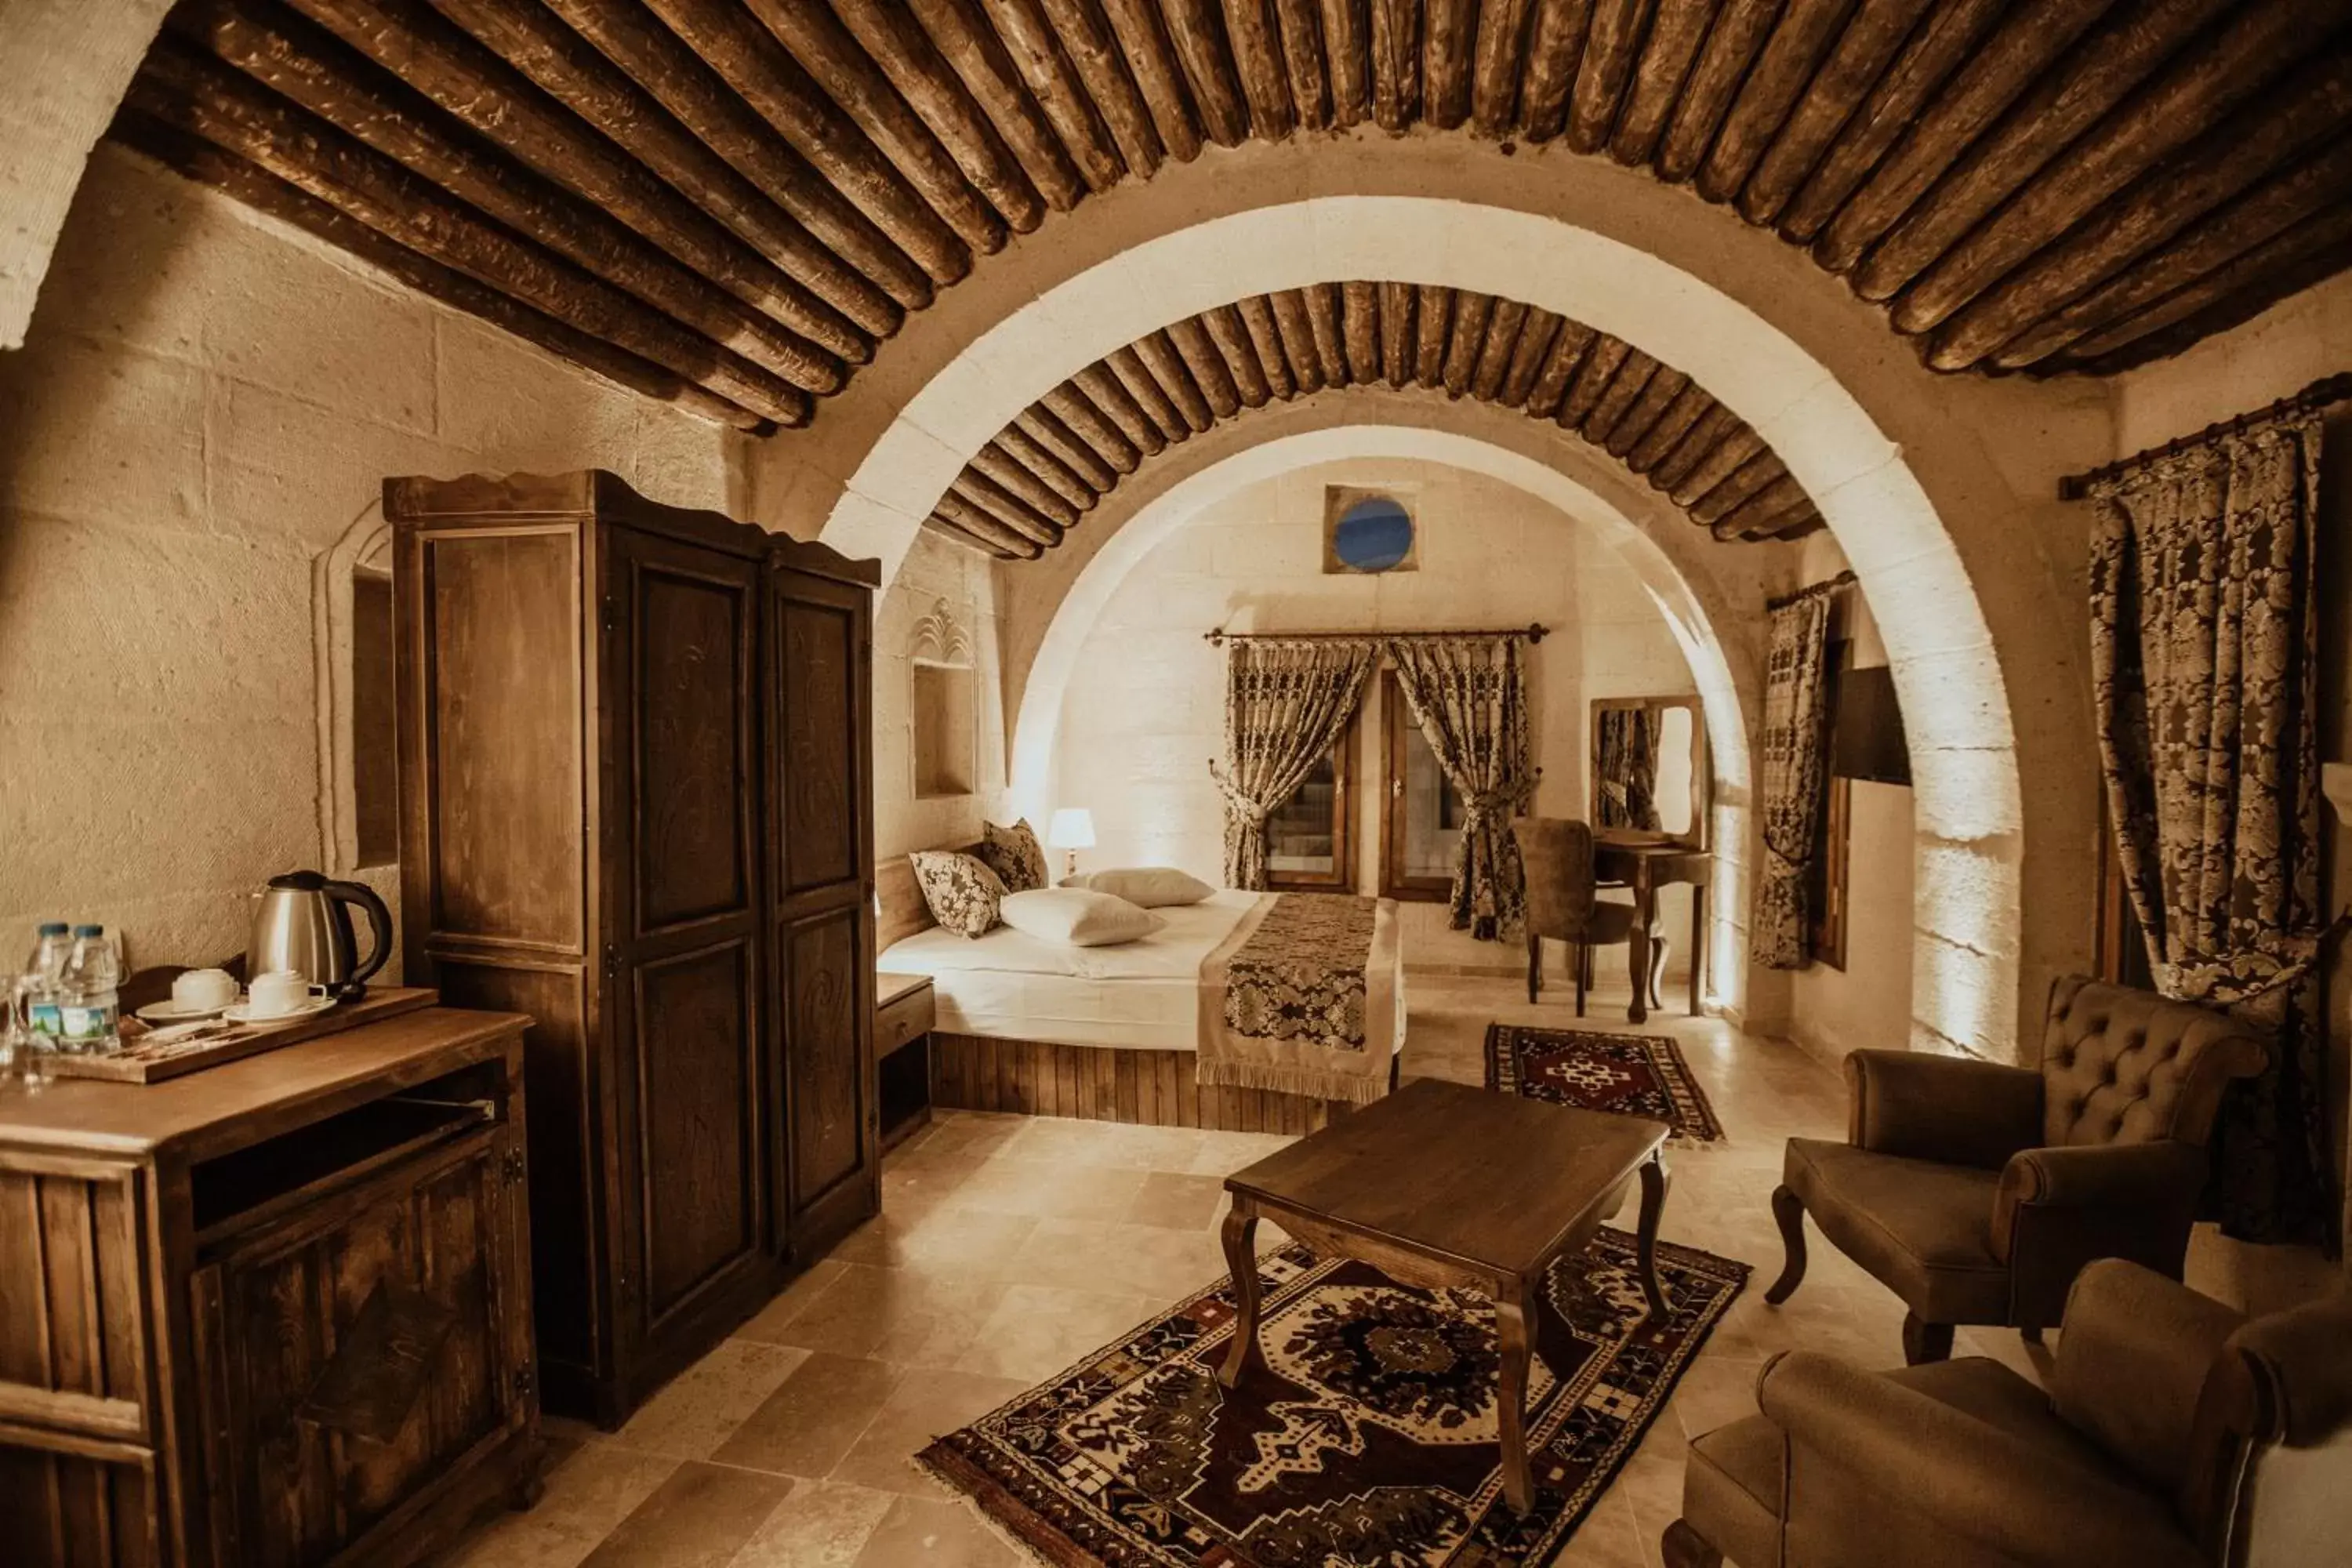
1443,1186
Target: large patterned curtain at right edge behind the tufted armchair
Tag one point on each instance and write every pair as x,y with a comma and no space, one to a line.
2205,666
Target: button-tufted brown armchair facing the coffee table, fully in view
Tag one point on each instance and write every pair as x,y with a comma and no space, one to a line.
1977,1193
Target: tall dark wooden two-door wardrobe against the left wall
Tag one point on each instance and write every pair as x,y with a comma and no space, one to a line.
636,805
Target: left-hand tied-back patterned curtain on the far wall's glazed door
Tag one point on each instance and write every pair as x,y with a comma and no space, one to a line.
1285,706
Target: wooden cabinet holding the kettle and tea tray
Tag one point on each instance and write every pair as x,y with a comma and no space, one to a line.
269,1315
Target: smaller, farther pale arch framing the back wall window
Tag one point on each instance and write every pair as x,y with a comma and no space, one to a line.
1038,725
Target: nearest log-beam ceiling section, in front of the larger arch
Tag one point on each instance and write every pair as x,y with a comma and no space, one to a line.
733,201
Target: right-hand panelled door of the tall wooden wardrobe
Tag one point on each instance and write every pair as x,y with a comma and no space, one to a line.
822,873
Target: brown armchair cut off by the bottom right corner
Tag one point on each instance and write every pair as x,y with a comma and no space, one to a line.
2174,1435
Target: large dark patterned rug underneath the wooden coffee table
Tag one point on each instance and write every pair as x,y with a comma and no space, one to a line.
1368,1435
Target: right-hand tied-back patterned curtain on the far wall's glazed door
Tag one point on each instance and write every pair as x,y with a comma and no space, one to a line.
1469,695
